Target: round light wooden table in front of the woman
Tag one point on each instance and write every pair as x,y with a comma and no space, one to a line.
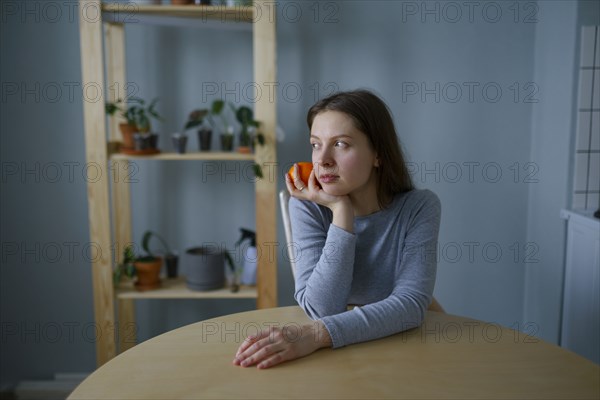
447,357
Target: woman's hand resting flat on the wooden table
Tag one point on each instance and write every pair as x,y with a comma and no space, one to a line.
276,345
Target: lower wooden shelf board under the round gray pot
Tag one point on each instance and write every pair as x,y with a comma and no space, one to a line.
177,289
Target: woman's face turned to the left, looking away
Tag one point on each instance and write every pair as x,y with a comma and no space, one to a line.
342,156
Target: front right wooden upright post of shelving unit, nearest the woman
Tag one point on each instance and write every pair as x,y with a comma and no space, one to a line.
265,108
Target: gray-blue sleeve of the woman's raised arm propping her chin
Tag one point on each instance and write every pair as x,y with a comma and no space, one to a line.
324,256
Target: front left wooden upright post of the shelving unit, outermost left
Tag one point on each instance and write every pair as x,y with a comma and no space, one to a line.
90,26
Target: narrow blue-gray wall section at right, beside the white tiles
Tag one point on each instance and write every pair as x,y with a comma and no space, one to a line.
553,121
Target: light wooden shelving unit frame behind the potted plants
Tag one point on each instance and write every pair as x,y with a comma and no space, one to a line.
103,46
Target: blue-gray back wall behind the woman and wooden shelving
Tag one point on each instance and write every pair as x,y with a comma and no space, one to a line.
501,242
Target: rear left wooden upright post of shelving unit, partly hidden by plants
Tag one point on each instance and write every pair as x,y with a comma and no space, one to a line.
117,87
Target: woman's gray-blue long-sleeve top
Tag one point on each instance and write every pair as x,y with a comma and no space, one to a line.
388,266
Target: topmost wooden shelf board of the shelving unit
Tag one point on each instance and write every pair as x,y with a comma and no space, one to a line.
127,12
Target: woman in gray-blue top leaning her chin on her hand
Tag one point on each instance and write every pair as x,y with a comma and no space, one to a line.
367,237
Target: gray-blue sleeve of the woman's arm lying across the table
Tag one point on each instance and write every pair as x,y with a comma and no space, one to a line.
415,273
